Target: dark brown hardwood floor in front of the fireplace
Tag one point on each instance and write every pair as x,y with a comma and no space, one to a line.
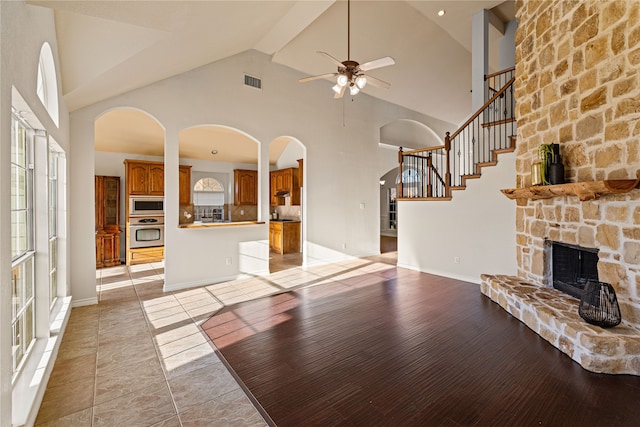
393,347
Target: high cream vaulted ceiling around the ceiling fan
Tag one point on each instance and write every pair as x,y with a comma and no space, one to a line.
109,47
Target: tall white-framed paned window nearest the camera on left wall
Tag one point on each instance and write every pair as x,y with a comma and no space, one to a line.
22,243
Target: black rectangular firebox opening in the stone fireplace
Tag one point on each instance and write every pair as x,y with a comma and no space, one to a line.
572,266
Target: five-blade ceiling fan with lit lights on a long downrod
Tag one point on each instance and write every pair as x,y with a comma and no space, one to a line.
350,73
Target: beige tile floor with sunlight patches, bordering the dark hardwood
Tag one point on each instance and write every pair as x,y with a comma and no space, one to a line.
139,357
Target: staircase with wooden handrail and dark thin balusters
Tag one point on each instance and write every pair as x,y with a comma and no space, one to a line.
433,173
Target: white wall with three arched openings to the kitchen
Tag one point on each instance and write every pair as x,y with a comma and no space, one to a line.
342,164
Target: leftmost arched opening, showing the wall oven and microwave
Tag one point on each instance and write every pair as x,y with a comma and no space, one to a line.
128,141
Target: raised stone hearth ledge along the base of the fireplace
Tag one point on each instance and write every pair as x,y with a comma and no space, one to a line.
553,315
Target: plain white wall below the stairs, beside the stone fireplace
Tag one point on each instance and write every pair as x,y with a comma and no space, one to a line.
478,226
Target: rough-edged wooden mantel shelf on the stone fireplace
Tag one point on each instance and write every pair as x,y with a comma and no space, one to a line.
588,190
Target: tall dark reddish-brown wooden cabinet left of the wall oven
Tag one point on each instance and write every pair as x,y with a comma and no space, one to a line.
107,210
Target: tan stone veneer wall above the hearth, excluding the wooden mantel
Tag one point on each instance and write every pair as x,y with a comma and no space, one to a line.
578,84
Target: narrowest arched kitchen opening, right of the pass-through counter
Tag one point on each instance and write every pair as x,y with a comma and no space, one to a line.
287,198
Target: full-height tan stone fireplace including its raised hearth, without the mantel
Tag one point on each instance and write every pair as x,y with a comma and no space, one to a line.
578,85
